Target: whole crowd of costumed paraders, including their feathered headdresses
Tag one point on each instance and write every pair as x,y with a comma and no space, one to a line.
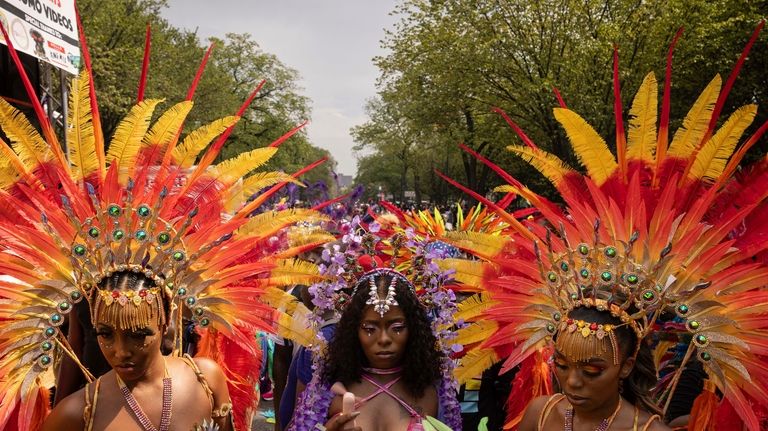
638,301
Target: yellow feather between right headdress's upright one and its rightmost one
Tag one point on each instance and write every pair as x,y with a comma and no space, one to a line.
696,122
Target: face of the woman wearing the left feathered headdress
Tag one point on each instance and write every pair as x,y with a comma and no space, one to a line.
128,351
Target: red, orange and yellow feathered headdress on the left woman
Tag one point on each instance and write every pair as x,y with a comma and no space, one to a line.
151,204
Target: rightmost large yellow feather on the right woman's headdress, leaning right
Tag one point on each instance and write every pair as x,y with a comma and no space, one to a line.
711,159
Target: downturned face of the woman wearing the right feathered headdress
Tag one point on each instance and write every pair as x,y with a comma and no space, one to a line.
591,384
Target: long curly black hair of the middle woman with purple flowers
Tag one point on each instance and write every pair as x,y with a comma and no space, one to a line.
422,360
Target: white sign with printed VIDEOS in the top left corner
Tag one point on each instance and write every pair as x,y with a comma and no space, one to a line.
46,29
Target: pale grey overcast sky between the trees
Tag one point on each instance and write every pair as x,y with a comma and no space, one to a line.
330,42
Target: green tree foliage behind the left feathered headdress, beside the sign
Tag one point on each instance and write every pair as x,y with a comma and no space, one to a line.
115,30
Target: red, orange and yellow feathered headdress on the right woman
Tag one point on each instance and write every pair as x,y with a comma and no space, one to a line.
659,228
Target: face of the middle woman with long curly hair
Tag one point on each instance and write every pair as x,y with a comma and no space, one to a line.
383,339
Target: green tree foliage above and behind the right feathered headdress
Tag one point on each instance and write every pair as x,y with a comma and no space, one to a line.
450,62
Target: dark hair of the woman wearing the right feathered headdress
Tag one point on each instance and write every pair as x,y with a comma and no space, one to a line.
637,386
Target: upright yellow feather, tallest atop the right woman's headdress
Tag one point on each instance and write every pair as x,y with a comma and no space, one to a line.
641,144
